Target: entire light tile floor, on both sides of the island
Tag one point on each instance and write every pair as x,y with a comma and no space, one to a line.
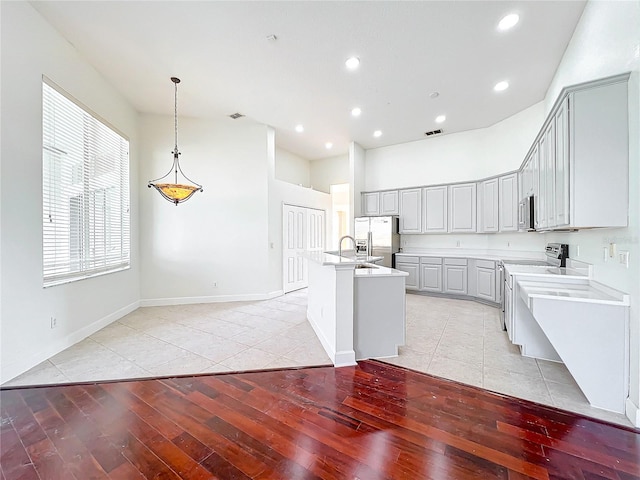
455,339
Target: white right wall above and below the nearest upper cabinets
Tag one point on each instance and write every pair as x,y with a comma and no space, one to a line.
607,42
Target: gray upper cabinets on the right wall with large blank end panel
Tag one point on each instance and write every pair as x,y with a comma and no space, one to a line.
578,167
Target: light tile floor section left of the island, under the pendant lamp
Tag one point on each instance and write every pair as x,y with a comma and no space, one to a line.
185,339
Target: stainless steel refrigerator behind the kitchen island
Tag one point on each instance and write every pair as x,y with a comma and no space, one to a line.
379,237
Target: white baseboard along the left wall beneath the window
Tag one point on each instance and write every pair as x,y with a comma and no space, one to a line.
22,365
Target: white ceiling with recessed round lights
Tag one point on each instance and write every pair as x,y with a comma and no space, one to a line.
221,52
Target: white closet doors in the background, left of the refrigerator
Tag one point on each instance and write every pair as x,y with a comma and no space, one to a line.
303,229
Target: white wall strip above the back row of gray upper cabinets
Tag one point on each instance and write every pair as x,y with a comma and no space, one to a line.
457,157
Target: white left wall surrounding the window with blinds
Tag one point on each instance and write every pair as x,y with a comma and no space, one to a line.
31,48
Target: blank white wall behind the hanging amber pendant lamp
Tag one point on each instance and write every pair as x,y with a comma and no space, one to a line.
217,236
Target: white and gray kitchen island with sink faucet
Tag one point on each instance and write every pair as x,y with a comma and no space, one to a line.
356,308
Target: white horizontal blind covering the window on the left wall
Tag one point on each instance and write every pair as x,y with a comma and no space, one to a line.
85,192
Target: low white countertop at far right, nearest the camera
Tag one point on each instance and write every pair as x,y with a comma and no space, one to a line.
588,291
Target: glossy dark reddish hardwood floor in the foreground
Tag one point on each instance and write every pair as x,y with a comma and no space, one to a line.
365,422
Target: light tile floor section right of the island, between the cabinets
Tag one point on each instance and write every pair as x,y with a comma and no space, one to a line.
463,340
